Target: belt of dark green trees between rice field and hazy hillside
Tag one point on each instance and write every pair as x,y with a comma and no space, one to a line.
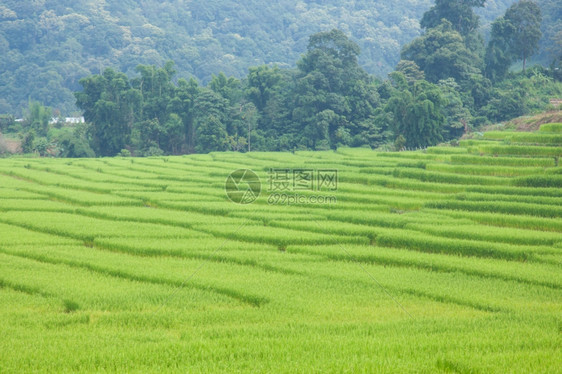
448,80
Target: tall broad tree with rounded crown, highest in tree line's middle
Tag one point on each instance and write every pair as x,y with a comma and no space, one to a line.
333,95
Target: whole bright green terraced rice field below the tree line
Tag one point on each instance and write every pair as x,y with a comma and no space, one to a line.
443,260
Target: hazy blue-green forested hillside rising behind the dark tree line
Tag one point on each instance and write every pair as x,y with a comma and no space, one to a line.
48,45
